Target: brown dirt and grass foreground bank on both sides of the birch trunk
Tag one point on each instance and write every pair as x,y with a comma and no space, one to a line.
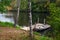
7,33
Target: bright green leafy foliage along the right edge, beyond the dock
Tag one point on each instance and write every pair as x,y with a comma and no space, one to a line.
54,20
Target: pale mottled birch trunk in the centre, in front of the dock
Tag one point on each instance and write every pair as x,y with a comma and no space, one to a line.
30,20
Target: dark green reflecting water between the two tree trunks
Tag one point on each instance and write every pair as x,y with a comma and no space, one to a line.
23,19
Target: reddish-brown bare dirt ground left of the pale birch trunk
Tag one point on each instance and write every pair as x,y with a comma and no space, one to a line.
7,33
